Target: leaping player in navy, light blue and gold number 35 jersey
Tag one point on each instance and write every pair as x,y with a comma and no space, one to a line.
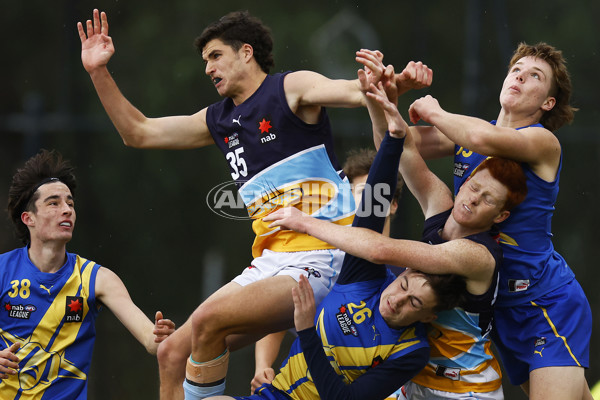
274,132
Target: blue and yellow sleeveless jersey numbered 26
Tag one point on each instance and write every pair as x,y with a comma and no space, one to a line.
355,338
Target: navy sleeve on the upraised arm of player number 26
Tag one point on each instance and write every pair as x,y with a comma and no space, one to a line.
374,206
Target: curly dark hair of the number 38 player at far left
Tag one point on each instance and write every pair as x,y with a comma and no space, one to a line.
44,167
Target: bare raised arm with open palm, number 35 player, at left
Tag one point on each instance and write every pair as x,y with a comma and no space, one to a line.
136,130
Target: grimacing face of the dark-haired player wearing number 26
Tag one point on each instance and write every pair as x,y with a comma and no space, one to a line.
408,299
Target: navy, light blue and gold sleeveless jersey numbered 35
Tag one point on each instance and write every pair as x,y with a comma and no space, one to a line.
276,159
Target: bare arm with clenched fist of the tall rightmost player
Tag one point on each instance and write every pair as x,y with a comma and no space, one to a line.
534,145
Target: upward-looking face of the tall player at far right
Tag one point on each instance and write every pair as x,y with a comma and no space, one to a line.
527,86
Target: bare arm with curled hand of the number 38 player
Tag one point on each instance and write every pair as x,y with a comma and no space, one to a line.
111,291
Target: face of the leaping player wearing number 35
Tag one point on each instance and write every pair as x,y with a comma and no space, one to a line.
224,67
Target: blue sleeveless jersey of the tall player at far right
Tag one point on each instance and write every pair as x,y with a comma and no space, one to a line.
531,266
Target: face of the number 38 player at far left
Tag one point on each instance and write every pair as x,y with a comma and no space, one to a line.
54,218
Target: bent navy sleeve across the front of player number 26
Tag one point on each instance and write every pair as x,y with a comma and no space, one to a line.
377,383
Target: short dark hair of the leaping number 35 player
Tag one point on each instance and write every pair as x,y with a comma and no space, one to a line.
237,28
